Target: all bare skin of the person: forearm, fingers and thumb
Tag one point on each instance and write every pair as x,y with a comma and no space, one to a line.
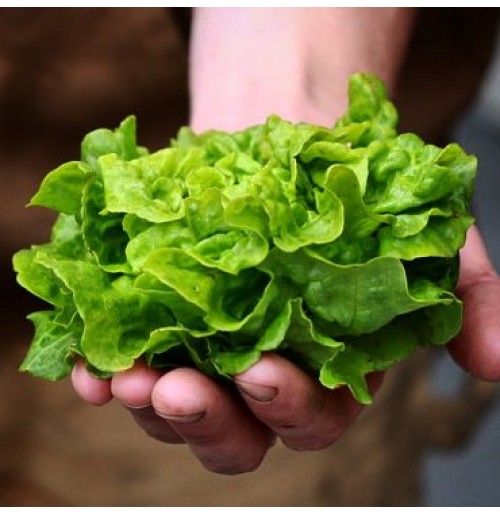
230,430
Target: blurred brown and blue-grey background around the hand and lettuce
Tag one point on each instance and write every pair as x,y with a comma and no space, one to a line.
429,438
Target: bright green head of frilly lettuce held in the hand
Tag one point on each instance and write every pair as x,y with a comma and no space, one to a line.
337,247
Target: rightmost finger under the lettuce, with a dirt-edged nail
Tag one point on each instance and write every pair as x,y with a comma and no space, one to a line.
304,414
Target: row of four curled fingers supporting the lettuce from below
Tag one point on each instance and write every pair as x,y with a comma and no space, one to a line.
229,429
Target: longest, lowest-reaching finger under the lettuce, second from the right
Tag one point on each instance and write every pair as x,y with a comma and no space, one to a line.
212,420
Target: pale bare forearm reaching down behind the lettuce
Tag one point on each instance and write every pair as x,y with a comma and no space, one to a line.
248,63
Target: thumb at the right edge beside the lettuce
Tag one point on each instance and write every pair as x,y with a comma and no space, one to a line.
477,348
